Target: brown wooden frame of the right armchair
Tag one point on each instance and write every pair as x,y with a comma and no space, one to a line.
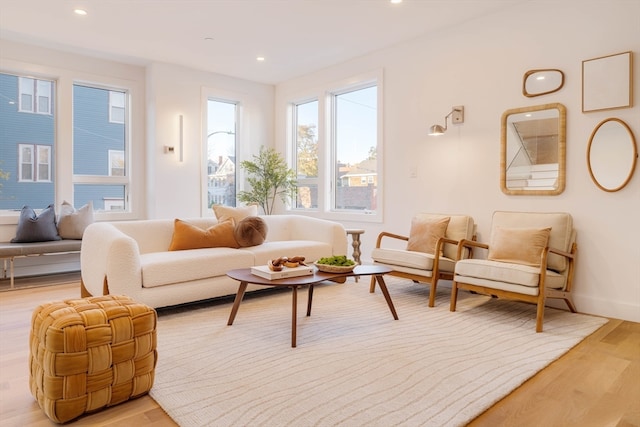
543,292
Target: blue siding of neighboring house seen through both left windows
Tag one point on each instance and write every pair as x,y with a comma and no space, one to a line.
93,137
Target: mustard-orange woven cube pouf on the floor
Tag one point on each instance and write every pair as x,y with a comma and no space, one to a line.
91,353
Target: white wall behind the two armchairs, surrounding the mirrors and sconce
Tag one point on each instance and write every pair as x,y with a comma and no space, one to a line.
480,65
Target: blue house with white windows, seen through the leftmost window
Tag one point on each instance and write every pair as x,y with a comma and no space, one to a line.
27,142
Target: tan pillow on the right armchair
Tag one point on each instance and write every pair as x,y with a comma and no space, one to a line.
518,245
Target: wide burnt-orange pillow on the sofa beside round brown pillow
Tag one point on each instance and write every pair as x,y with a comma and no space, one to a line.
189,236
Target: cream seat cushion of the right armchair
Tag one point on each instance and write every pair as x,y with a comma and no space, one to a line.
509,274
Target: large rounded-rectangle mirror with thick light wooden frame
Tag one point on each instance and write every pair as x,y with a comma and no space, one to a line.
533,150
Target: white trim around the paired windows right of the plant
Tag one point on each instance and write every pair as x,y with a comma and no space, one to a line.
323,93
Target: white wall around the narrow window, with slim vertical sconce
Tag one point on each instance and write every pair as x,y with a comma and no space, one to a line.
175,188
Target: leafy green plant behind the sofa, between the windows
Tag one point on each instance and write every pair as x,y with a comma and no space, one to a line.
270,178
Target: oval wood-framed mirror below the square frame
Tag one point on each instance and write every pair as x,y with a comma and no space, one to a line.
612,154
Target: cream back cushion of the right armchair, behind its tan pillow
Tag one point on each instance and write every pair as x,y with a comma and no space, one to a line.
561,235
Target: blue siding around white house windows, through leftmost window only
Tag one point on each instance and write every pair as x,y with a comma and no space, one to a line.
22,128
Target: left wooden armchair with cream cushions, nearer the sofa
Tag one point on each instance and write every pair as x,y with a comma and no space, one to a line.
430,234
